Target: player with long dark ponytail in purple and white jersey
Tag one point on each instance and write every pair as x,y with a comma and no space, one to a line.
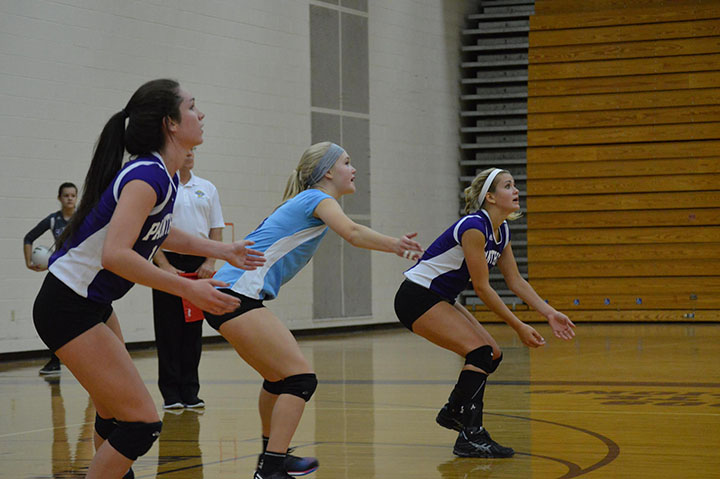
123,218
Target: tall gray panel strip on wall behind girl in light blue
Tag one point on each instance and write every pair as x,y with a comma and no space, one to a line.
342,282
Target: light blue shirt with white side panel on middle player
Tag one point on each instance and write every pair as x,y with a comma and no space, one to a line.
289,237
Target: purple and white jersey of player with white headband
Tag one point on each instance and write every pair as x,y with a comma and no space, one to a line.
442,268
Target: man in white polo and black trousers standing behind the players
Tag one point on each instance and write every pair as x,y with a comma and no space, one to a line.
179,341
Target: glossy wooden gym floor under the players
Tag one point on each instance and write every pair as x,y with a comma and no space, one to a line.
621,401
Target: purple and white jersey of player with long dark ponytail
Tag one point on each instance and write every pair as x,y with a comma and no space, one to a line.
78,262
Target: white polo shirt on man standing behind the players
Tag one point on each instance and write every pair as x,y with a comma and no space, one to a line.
197,207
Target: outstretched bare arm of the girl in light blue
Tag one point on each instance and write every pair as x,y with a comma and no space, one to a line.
330,212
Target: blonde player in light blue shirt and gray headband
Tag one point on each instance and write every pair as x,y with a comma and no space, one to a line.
289,237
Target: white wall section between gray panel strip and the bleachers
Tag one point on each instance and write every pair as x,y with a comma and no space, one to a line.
414,128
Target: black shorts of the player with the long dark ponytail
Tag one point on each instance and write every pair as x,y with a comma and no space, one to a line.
60,314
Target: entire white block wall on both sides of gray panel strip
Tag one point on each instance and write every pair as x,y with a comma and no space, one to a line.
66,67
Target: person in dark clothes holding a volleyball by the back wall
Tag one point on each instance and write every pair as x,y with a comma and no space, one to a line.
55,222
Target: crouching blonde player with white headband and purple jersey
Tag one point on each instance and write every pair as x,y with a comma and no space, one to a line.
426,303
